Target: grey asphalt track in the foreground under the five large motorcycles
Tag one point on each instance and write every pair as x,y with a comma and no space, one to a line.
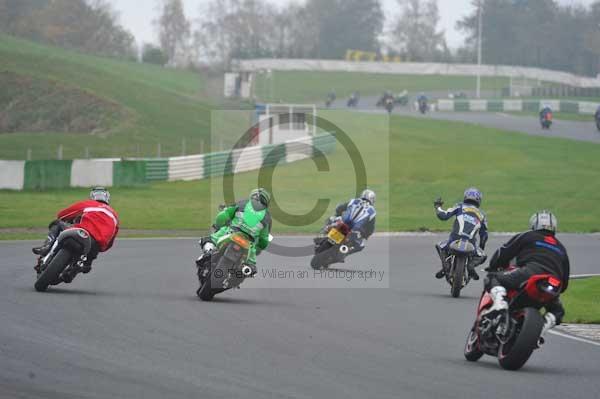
134,328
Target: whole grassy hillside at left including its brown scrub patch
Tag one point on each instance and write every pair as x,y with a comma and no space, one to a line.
145,105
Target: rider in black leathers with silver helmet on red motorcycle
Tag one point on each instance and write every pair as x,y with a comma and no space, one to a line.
536,252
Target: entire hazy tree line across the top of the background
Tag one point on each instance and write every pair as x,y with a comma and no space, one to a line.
537,33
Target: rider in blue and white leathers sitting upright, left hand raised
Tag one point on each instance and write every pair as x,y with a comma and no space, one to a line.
470,220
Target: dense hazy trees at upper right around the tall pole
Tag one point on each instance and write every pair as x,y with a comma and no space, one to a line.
537,33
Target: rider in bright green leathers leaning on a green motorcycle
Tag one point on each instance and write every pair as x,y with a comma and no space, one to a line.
248,216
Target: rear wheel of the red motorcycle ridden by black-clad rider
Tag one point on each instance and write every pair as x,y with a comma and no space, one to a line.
514,354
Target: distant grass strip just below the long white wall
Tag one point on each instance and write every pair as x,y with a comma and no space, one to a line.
301,87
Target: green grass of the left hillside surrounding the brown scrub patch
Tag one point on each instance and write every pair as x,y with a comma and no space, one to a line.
162,105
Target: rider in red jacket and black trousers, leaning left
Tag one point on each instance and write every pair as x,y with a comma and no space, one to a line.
94,216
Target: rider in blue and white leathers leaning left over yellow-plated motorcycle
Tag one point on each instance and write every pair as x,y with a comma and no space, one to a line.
359,214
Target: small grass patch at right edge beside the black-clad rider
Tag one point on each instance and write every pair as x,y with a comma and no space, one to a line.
582,301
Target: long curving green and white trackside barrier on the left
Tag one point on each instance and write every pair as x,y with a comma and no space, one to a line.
40,175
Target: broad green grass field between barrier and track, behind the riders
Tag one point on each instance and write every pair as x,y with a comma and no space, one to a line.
416,162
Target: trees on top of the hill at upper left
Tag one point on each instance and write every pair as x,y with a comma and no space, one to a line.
85,25
